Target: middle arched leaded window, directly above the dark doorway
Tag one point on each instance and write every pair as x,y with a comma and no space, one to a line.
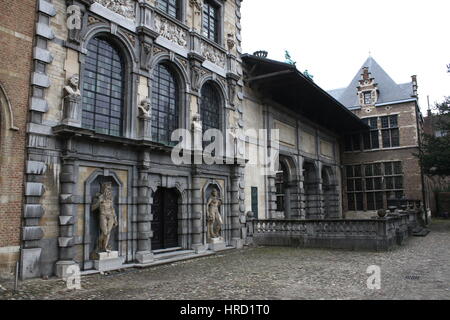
165,104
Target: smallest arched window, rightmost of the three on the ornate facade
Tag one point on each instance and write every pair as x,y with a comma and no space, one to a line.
210,107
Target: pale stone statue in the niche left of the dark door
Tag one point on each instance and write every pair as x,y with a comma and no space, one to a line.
104,203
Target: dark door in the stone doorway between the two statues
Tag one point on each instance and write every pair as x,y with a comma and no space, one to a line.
165,219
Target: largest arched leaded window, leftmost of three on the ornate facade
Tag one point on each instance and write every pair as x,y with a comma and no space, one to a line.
103,88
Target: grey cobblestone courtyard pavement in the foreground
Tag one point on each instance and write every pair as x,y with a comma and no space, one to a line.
418,270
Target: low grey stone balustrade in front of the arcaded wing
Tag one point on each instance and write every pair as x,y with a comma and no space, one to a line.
371,234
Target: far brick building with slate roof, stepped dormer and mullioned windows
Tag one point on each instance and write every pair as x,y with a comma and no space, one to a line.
380,164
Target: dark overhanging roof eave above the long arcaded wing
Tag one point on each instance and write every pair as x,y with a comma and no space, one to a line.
284,84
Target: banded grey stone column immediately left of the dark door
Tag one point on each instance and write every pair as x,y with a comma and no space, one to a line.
144,218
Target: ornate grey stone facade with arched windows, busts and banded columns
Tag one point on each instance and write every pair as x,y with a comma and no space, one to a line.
113,80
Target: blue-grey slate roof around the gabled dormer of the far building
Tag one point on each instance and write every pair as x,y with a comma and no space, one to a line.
389,91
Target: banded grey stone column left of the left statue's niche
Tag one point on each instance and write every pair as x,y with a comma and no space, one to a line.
67,217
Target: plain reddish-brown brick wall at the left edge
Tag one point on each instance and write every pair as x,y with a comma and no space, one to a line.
16,40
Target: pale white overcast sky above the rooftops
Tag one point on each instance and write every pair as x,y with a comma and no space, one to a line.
333,38
